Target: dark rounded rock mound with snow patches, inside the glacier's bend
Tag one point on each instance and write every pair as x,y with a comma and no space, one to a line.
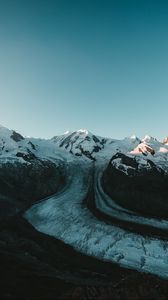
140,186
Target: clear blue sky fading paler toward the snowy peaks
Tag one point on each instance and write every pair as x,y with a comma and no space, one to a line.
100,65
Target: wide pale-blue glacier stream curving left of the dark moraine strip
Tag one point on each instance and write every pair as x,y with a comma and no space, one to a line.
66,217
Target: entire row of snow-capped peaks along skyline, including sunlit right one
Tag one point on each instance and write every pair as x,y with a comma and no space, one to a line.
80,143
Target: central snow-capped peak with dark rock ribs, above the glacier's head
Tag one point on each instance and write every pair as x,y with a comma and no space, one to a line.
86,144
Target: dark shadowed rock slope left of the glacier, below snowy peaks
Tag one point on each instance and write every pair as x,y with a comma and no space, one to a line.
23,183
